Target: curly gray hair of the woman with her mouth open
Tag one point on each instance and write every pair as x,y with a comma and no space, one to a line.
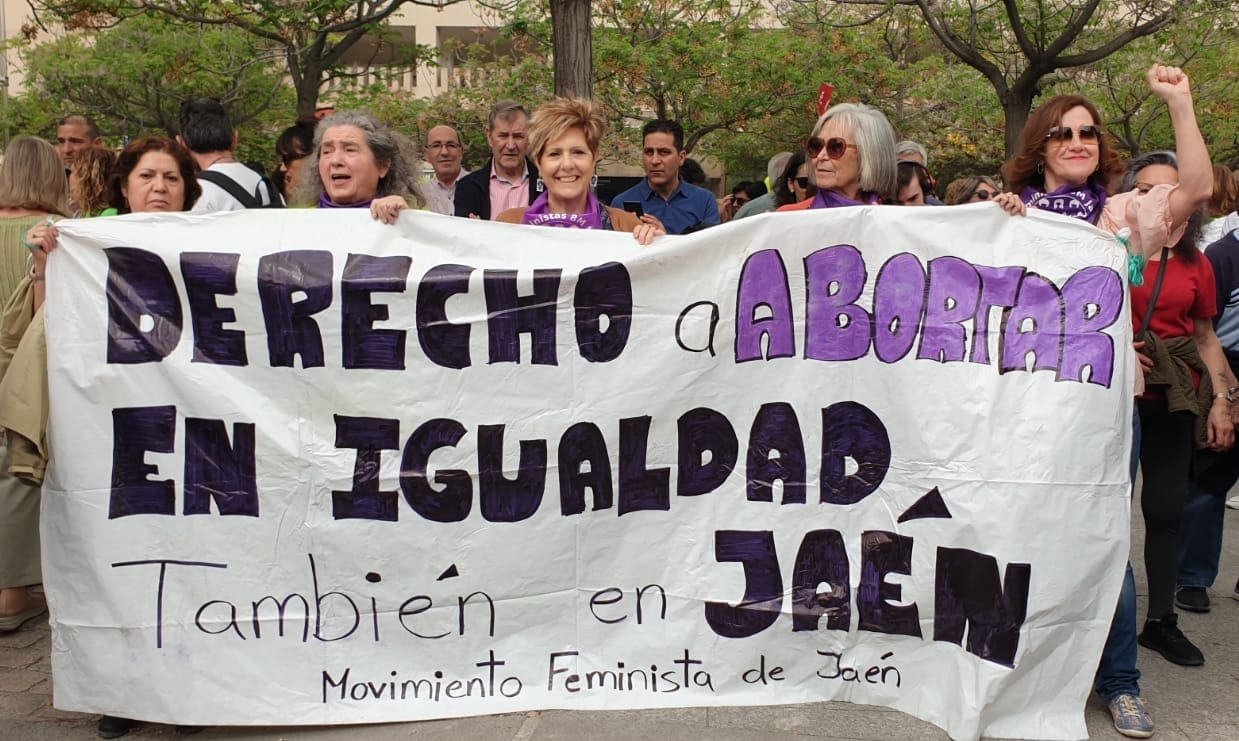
398,153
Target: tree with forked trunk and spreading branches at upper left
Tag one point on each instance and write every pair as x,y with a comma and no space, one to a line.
310,38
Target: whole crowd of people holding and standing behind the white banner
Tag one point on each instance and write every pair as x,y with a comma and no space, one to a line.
1175,211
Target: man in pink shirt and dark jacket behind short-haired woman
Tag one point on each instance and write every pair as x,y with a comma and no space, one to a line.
507,180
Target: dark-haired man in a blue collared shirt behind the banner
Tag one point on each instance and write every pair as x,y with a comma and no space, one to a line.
678,205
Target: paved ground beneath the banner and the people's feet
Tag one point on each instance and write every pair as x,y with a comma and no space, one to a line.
1188,704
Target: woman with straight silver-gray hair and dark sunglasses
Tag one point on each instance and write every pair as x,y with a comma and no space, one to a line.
852,158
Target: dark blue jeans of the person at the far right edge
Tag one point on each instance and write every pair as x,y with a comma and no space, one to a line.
1200,547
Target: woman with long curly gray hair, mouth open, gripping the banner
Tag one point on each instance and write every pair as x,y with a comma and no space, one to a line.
360,163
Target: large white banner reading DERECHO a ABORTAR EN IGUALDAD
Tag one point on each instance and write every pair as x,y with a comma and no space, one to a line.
309,469
